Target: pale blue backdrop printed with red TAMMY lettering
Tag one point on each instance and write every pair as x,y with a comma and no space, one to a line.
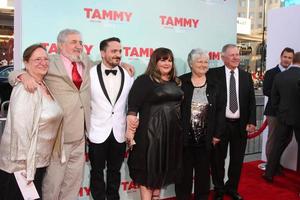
142,26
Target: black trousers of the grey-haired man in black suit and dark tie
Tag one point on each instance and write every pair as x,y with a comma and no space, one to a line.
237,142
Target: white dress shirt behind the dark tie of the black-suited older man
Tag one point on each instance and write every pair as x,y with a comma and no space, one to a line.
229,114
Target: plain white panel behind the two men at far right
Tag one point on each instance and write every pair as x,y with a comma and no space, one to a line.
283,31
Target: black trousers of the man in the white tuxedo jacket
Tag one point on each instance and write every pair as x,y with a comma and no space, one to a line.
109,155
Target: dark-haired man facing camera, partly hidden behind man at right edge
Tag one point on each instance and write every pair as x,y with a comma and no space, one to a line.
286,59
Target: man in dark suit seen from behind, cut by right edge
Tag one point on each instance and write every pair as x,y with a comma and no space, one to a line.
286,101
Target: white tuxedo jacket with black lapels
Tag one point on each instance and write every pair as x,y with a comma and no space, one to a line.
106,117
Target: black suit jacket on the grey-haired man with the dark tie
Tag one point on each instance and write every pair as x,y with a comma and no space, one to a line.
246,95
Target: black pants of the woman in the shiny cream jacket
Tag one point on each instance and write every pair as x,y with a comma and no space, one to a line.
9,189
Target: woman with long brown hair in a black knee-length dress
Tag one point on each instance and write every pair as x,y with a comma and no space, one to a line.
155,159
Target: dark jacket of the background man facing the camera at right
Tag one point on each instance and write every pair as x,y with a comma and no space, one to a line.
267,88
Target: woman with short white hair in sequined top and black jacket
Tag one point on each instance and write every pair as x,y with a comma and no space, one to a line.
202,115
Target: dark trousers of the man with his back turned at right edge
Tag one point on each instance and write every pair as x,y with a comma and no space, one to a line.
283,135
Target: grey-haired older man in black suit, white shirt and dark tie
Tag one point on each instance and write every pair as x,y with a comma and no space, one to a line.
238,91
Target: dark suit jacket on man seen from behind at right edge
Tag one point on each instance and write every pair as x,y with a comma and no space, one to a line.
286,96
